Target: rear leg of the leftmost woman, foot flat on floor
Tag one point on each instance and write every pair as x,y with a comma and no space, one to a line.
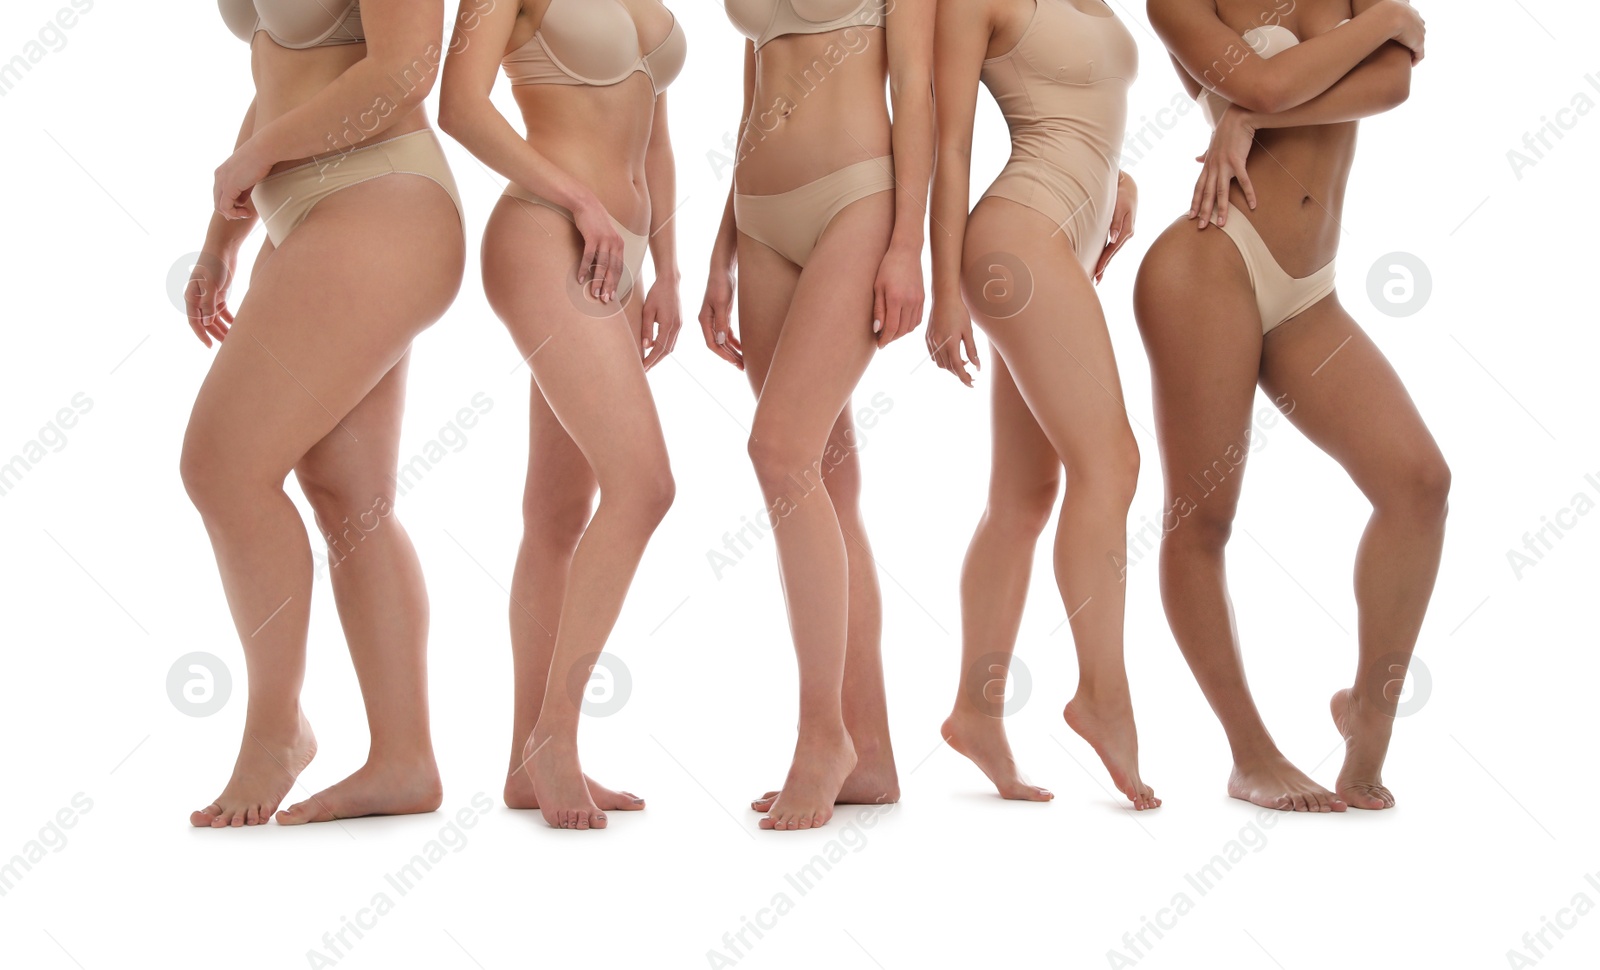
383,609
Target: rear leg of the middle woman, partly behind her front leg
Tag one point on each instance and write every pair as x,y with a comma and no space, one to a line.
764,303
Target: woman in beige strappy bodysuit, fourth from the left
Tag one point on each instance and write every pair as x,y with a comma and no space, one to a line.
1025,265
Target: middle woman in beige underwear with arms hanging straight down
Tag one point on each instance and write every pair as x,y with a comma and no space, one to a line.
825,226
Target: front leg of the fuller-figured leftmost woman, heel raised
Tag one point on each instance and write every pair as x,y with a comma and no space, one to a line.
297,355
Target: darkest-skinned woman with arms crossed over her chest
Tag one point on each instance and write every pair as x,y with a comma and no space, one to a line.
1254,305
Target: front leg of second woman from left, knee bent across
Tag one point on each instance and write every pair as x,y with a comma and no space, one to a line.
588,367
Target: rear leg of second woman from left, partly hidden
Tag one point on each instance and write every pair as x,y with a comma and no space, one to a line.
556,507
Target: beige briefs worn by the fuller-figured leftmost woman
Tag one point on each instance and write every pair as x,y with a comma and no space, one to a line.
286,199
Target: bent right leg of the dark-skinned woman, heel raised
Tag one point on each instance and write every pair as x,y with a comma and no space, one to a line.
1353,406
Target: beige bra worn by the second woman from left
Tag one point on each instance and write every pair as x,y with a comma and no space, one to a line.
594,42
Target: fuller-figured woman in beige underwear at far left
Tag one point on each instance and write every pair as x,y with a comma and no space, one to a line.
311,379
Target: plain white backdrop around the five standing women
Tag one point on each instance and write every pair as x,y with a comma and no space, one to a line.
108,577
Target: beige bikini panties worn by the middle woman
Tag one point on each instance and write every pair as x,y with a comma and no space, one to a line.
791,223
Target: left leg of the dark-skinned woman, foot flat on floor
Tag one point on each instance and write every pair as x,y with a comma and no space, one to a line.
1206,356
